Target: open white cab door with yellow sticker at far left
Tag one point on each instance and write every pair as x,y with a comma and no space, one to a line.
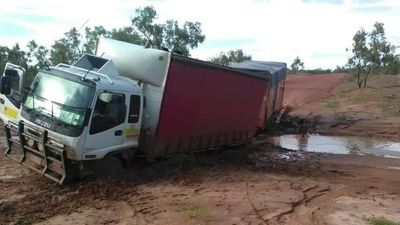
10,103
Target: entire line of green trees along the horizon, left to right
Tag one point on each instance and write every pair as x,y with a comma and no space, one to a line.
371,51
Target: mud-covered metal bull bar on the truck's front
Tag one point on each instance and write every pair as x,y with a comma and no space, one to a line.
38,155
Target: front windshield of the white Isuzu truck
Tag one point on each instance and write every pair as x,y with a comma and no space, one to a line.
62,99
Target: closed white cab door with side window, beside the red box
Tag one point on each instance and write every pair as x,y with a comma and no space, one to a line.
106,125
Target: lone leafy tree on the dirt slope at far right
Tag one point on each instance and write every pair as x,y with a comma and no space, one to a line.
372,53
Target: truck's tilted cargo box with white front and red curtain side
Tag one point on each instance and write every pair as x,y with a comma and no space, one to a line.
195,104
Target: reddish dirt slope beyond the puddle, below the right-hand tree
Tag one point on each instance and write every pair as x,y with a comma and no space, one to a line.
334,106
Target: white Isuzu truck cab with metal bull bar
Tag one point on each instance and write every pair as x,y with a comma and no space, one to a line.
71,114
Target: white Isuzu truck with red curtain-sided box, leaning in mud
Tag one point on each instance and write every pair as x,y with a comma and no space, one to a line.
127,100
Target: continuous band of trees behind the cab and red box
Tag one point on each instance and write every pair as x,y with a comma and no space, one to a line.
144,29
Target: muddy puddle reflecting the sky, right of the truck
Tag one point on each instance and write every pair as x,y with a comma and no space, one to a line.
339,145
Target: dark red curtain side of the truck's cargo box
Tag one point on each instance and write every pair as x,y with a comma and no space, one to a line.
205,105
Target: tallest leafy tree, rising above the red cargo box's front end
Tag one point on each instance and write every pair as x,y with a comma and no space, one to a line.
169,35
